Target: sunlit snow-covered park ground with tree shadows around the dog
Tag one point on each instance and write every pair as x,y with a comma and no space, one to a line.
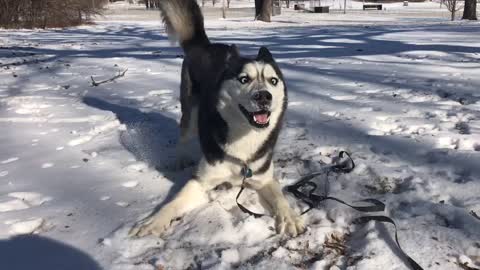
80,164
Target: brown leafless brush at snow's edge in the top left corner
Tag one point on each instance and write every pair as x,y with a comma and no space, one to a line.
47,13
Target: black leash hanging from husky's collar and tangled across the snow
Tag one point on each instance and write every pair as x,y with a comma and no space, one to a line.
304,190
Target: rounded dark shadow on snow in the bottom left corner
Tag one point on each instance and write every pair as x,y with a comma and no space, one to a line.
27,252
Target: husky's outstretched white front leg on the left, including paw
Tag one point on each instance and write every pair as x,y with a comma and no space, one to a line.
190,197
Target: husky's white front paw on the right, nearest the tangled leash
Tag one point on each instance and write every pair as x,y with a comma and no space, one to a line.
288,222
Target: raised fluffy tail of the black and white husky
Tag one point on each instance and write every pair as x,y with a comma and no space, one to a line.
183,20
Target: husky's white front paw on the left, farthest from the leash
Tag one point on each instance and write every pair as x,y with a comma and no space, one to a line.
155,225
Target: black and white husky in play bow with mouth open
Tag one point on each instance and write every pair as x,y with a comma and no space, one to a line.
236,106
